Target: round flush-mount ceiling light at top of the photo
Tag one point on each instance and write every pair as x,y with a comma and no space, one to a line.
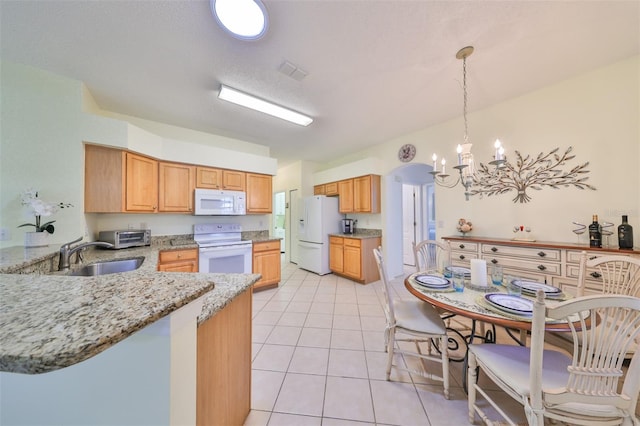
243,19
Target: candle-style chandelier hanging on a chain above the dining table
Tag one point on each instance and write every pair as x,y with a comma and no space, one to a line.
465,165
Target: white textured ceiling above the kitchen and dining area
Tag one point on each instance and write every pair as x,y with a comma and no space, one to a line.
376,69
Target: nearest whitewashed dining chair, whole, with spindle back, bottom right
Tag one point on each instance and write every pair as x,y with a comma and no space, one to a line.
579,389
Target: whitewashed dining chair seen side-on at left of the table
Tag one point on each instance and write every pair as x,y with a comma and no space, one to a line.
415,322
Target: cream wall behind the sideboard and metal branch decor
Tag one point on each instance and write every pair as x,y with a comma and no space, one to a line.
596,113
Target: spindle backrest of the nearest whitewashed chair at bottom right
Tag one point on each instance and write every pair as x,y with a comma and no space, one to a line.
598,354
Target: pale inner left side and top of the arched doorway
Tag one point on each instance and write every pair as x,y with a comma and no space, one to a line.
414,174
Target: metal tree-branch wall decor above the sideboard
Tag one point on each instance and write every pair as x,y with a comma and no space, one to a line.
528,172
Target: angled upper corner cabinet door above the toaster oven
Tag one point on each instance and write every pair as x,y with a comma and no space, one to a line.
142,183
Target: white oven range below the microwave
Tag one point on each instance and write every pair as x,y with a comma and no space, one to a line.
222,249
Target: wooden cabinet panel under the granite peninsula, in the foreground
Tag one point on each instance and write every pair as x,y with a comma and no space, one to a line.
223,378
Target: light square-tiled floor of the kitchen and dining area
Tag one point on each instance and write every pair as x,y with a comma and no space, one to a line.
318,359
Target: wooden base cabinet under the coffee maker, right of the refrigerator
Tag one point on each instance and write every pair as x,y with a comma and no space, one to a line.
357,261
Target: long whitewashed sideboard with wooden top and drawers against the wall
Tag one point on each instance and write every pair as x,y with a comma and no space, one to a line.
554,263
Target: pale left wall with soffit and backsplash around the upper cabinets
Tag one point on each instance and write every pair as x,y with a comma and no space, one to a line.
44,124
